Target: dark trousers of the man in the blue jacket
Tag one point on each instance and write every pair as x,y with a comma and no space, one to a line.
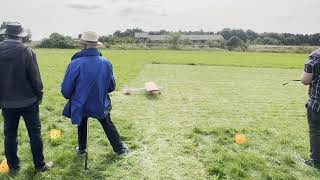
109,129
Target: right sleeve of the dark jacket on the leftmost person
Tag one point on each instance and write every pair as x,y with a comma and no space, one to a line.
33,74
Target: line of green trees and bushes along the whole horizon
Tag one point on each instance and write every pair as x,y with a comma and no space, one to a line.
233,38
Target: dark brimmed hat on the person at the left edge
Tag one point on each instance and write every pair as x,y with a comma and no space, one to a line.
14,29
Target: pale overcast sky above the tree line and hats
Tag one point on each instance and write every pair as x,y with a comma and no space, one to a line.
72,17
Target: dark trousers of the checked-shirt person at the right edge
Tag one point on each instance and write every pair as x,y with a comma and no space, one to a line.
314,133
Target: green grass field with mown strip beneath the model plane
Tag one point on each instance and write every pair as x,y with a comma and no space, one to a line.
186,132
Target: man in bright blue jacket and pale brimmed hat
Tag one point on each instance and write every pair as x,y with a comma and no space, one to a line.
88,80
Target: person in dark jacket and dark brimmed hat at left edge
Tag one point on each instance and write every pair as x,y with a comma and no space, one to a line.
21,92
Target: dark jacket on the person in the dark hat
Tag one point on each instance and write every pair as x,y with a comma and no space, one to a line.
20,81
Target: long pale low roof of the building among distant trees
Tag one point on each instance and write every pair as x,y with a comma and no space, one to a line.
183,37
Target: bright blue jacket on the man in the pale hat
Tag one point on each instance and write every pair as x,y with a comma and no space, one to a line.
87,82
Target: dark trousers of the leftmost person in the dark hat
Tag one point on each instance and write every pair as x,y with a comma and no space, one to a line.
31,117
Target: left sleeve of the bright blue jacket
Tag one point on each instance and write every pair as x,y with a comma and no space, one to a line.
69,81
